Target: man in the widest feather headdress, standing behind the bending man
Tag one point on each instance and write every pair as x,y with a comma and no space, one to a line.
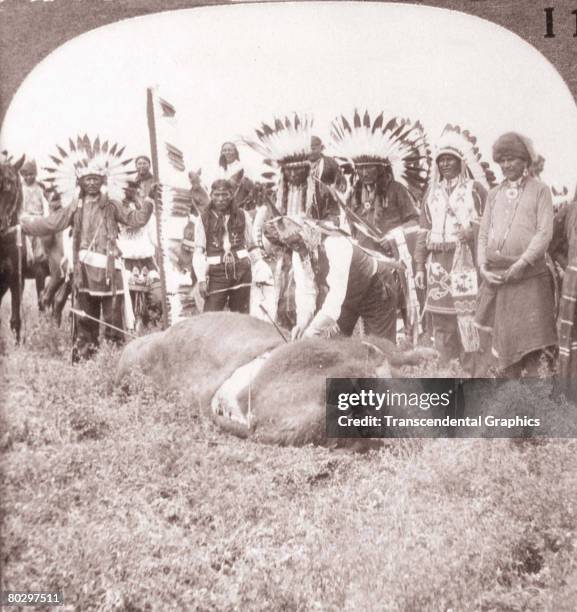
391,165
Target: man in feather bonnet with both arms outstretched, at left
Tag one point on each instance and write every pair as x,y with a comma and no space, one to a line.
80,175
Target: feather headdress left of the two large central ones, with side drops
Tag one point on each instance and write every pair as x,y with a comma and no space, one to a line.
286,143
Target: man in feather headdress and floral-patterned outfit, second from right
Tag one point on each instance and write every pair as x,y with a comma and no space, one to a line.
450,215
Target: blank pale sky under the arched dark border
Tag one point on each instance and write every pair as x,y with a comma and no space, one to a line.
228,68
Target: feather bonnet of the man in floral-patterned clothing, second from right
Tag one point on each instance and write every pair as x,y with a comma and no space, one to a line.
462,145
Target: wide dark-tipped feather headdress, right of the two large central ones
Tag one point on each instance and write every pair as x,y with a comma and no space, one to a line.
398,144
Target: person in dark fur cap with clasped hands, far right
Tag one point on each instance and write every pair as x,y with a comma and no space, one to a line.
516,300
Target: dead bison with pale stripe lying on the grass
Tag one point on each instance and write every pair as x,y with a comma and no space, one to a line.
249,380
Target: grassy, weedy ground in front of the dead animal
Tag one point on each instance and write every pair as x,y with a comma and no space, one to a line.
138,503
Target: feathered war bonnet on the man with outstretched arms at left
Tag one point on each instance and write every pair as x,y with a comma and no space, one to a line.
85,158
